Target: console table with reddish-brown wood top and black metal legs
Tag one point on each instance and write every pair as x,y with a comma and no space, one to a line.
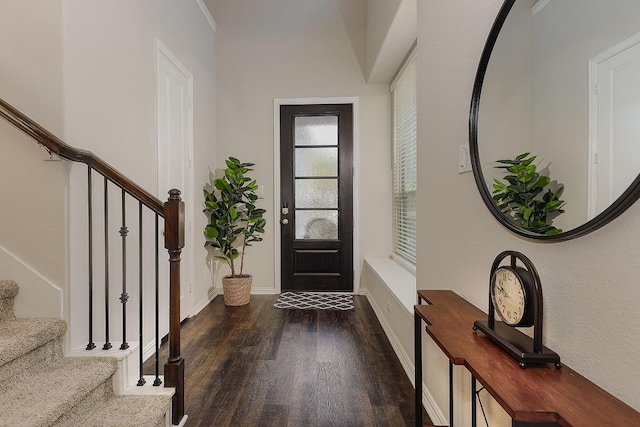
536,396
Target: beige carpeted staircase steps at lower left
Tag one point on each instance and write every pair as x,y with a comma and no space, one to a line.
39,386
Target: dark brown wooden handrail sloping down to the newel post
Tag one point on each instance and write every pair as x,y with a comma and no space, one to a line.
53,144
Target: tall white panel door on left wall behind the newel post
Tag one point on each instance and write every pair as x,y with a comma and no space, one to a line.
175,148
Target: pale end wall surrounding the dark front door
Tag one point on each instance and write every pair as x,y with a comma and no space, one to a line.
297,49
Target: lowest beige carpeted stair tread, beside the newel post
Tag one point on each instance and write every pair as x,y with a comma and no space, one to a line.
126,411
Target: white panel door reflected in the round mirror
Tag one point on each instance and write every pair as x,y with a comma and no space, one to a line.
616,149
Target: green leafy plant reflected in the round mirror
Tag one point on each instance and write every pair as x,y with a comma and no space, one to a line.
523,198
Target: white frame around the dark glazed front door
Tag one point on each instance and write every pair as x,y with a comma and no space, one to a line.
277,102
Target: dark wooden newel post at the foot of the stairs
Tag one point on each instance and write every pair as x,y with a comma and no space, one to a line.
174,242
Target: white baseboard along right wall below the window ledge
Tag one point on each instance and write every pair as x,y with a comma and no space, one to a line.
430,405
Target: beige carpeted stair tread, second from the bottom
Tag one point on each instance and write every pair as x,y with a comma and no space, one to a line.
44,396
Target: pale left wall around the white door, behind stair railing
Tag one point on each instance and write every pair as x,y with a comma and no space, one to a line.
110,104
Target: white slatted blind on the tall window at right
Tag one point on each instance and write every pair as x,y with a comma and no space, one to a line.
404,92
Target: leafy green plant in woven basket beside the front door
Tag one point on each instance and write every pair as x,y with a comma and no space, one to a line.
234,224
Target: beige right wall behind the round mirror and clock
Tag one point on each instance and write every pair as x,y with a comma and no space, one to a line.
590,283
